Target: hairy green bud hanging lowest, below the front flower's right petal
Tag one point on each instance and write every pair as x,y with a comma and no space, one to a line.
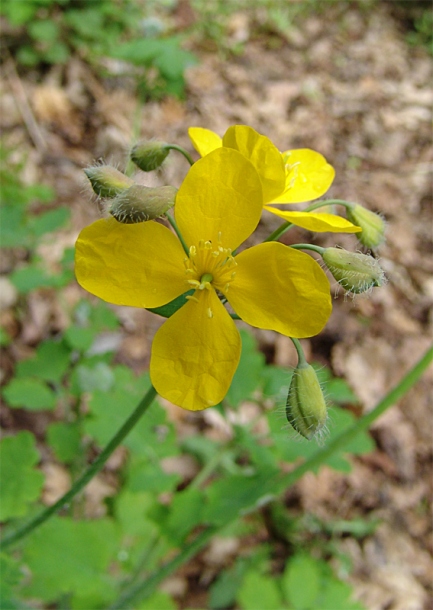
306,406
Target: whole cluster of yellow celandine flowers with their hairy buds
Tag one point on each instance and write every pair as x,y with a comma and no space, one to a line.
191,274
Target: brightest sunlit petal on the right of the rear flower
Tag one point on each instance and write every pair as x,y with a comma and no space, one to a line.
308,176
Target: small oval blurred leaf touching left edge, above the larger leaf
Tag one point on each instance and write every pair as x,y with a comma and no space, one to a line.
29,393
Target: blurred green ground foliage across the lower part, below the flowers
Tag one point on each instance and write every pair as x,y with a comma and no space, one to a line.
89,563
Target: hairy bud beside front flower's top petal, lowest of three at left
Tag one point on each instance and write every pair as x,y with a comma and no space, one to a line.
141,203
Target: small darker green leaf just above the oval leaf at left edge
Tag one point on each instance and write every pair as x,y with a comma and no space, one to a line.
50,362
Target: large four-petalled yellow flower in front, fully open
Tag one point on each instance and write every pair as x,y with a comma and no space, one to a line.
196,351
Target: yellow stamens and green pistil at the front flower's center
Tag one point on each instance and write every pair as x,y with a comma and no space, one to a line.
210,266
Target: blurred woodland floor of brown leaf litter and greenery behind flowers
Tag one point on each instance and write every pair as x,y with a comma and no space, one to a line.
84,81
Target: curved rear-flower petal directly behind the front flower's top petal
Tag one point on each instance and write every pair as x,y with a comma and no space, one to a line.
265,157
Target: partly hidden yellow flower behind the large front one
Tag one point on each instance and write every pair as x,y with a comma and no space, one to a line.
294,176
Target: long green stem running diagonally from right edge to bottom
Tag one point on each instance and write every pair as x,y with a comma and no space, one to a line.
148,586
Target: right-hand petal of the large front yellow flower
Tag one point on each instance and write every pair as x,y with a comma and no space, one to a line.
279,288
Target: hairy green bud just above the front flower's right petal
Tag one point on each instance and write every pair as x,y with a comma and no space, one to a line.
356,272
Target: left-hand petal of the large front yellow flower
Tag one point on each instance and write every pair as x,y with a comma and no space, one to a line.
140,265
